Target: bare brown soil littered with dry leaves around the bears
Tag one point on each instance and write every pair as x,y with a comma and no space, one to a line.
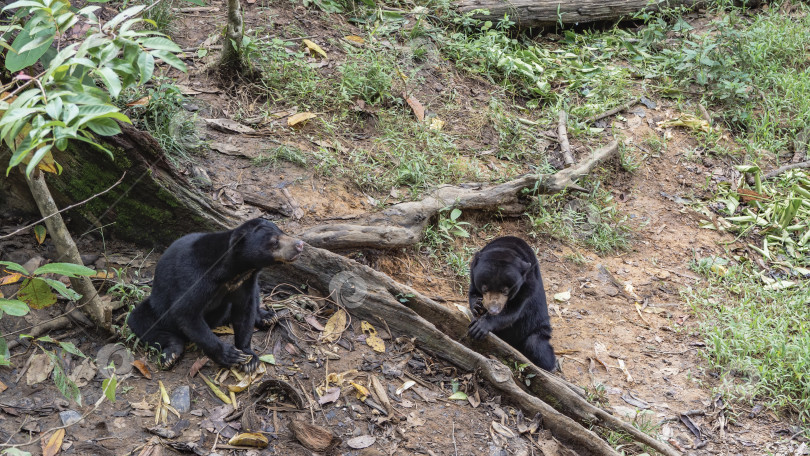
594,332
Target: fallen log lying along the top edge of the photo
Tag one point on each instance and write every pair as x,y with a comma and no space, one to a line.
548,13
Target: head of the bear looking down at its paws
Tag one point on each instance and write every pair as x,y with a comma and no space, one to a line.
498,276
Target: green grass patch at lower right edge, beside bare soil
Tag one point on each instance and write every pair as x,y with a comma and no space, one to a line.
758,338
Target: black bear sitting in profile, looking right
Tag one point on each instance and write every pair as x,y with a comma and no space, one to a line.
205,280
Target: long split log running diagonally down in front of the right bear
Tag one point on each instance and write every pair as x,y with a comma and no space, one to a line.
371,295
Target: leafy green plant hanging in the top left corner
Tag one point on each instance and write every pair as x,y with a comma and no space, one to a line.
62,102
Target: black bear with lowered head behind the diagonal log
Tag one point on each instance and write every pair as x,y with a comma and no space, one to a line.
505,280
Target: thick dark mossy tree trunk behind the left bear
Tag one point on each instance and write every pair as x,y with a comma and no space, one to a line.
154,204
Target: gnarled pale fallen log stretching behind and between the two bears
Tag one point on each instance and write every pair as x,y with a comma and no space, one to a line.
404,224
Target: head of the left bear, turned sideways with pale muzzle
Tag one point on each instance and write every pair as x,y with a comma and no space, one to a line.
258,243
